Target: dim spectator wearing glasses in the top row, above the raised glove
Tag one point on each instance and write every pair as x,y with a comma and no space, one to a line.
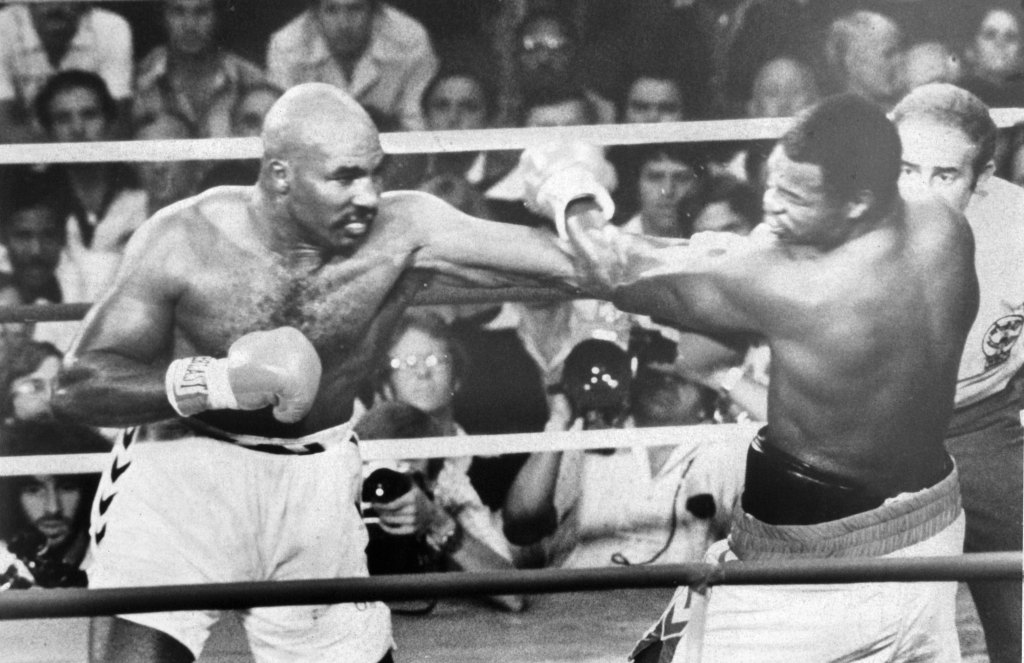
547,62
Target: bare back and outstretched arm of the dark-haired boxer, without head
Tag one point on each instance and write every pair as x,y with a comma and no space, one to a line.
866,330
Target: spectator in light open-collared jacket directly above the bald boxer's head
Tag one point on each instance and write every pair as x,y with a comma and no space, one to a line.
380,56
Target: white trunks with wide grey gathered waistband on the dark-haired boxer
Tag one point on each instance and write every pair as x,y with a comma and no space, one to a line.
889,621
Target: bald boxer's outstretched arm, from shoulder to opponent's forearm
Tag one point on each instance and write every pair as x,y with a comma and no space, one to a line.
482,253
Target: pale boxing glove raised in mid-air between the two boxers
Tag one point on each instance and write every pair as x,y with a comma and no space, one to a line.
558,175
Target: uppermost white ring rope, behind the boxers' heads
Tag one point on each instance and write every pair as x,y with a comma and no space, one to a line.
429,142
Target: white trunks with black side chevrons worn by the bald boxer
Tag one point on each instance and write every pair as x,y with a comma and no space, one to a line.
195,510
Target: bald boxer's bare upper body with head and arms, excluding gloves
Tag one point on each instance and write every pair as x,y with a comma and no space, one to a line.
314,244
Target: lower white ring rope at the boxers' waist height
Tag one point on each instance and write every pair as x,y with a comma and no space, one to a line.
373,450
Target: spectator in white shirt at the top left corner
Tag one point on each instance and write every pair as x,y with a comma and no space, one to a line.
39,39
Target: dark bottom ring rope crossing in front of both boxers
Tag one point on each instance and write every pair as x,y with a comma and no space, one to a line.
90,603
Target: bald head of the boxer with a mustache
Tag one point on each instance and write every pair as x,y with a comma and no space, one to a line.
322,165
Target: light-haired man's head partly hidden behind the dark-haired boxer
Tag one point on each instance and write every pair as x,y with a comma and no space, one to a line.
949,143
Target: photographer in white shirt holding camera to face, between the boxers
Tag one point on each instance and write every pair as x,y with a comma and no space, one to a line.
625,507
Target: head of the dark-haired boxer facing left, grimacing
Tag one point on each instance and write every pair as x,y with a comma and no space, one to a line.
839,165
